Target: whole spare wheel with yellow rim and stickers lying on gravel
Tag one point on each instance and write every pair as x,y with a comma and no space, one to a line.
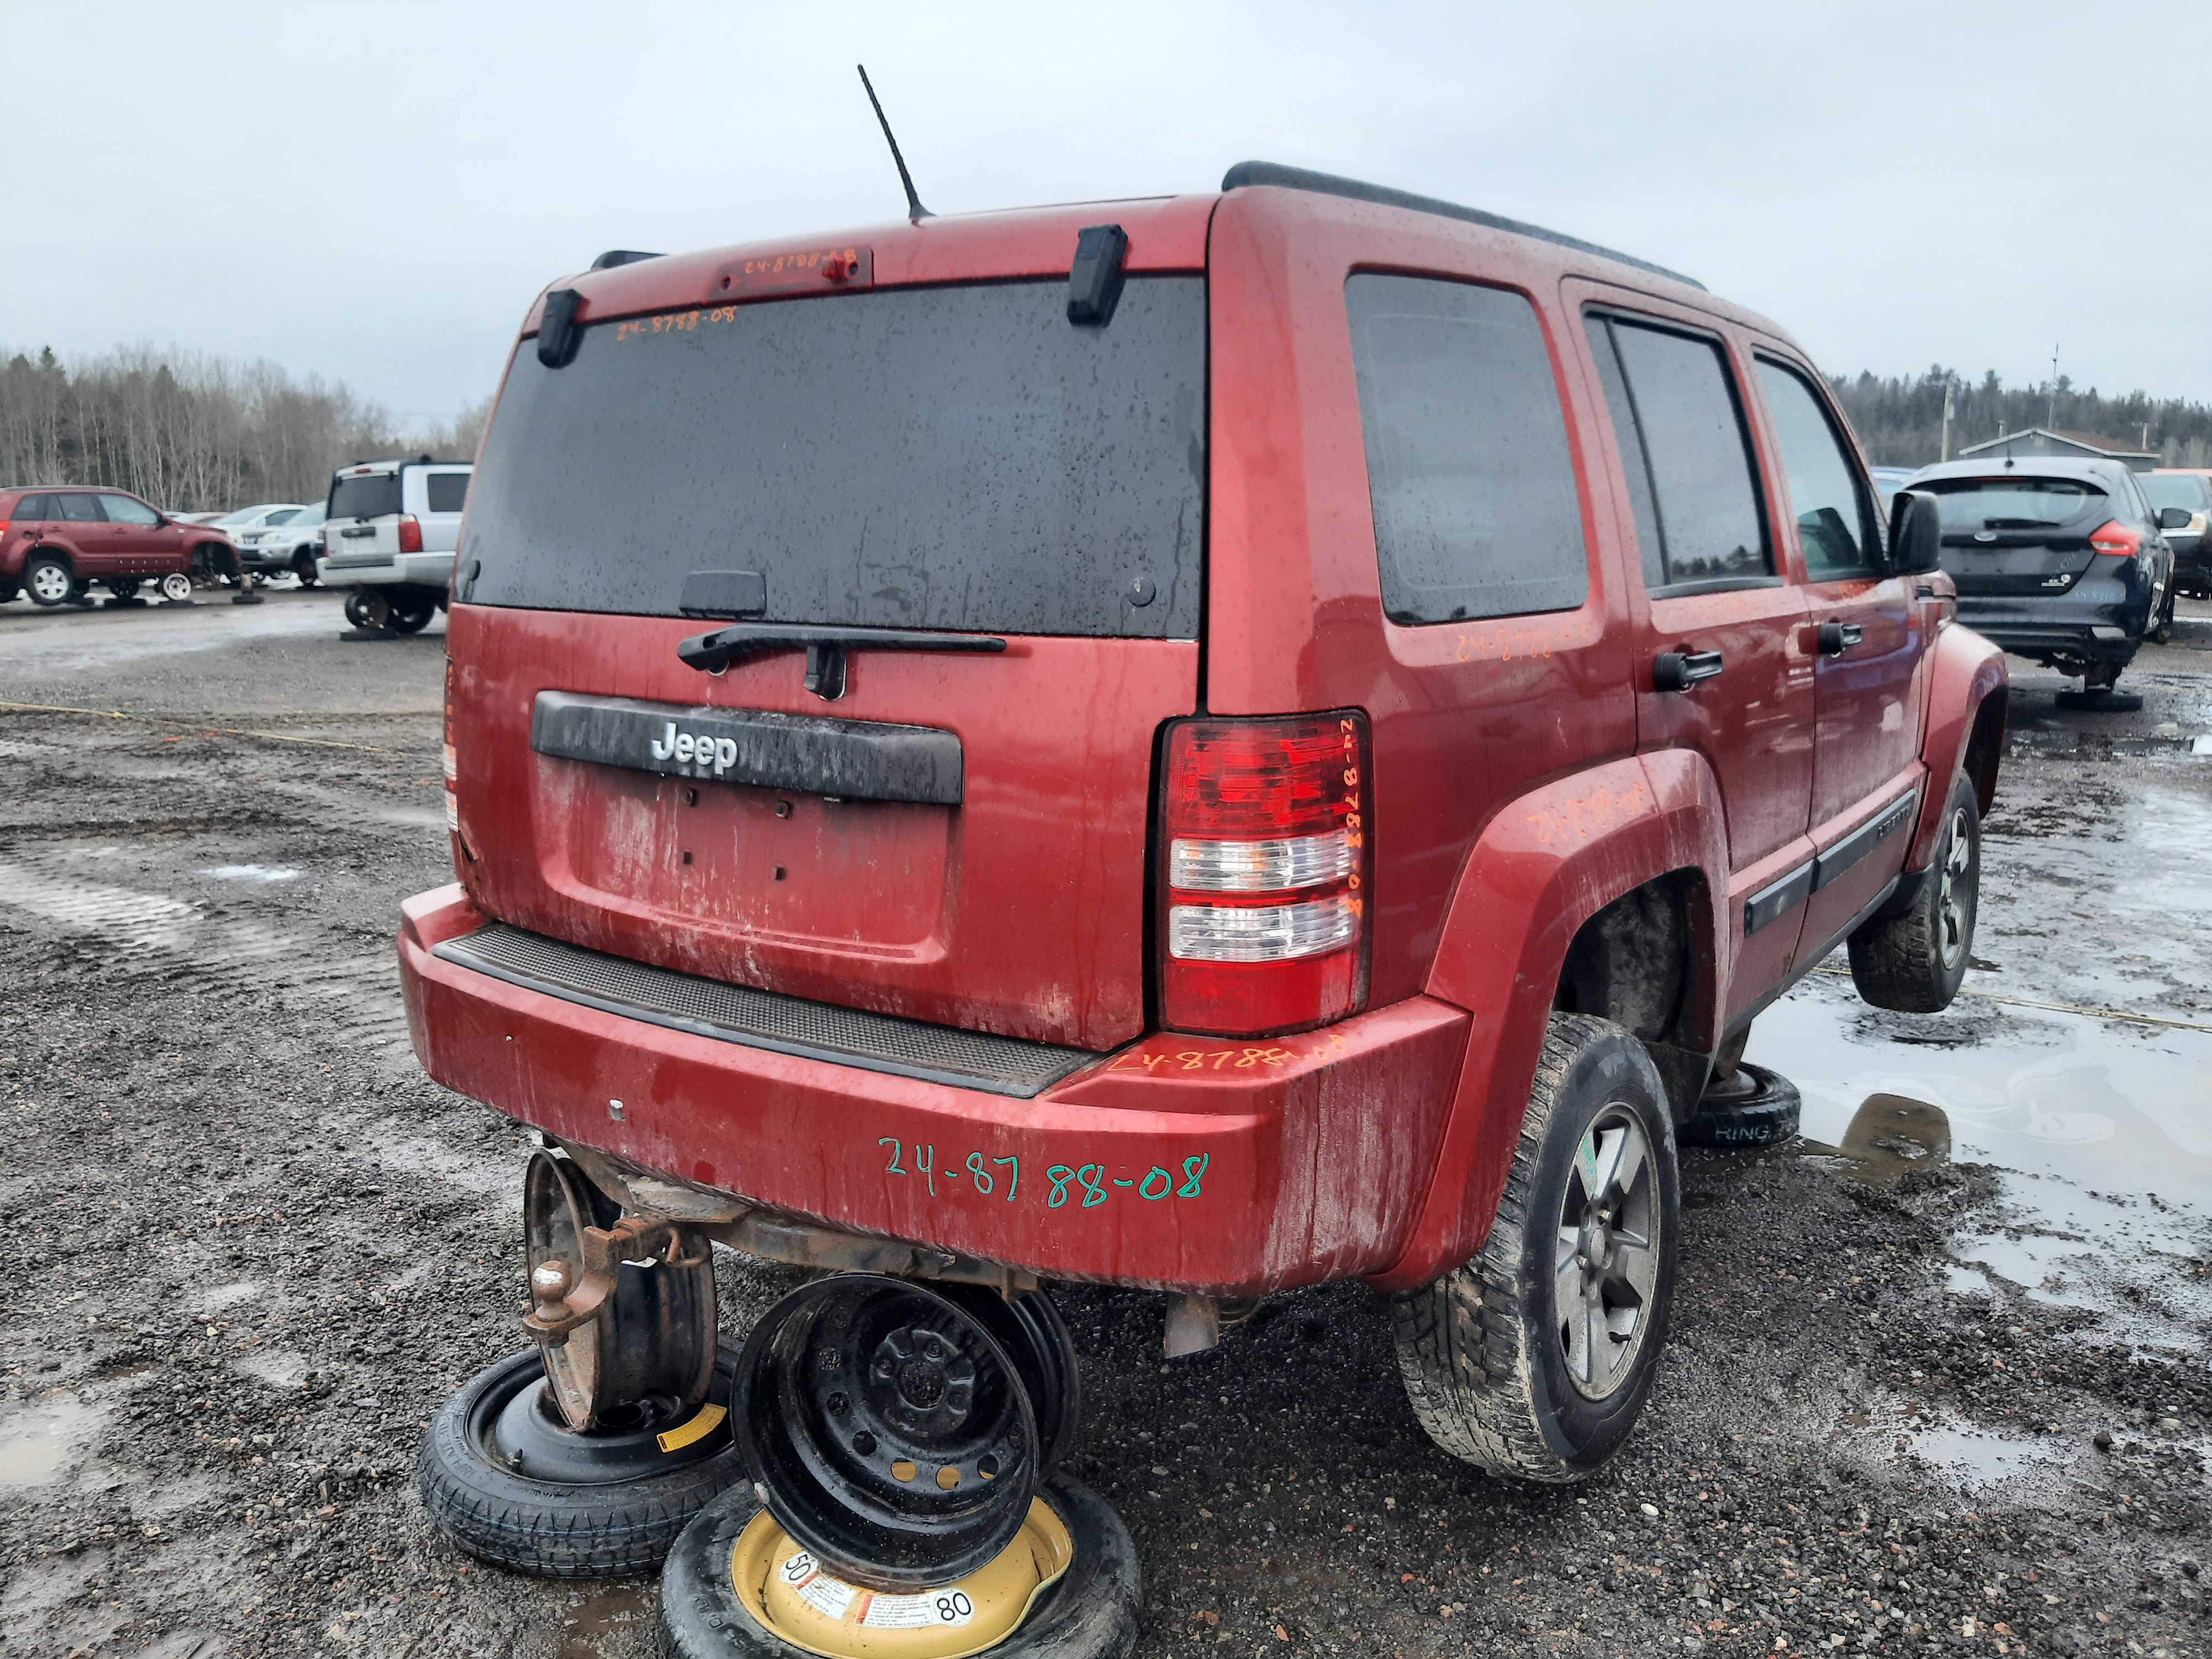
1087,1614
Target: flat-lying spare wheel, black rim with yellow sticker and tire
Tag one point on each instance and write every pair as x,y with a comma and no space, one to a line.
512,1485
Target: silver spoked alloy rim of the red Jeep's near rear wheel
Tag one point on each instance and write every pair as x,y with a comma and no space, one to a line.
1607,1255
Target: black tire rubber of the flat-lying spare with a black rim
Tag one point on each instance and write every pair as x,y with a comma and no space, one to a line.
552,1530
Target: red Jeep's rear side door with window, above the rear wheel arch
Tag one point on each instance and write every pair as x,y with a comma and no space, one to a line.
1722,665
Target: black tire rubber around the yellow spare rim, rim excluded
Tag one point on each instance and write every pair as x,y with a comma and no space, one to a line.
1092,1614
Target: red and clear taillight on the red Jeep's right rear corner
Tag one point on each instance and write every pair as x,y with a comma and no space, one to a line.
1264,846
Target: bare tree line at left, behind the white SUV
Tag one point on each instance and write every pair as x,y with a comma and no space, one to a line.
196,432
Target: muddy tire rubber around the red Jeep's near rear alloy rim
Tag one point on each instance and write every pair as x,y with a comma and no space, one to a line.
1479,1346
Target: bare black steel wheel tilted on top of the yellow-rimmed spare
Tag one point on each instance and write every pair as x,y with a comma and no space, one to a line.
890,1430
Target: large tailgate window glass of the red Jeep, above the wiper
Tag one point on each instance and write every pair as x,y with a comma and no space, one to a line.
924,459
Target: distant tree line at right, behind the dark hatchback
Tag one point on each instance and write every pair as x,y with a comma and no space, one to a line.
1899,417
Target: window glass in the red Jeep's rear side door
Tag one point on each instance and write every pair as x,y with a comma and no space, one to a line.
1680,424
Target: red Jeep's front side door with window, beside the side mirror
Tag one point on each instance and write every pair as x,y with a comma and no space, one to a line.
1868,634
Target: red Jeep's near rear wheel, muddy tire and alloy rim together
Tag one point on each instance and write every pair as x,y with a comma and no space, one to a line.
1536,1357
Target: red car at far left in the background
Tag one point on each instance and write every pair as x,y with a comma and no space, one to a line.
59,541
